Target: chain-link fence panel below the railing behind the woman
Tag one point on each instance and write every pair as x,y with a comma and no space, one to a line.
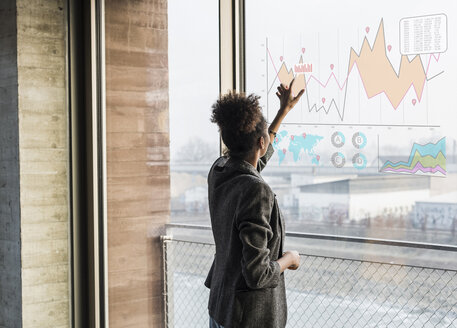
323,292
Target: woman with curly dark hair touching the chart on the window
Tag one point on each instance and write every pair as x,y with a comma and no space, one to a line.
246,278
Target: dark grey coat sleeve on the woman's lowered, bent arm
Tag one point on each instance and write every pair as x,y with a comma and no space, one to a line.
253,223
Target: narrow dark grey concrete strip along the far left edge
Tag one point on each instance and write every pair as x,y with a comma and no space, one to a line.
10,251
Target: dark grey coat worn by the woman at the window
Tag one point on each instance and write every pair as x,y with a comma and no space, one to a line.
246,284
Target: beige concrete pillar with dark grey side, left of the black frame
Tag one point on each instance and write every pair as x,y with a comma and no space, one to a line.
34,167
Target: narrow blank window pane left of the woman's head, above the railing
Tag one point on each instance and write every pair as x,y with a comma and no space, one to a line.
194,86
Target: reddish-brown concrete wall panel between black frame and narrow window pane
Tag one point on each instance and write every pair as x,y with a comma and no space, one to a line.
138,158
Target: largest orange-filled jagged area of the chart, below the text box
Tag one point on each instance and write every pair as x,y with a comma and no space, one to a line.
378,75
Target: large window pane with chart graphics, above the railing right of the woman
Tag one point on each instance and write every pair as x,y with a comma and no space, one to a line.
370,149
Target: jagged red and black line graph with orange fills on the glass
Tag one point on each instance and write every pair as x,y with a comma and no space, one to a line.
375,70
